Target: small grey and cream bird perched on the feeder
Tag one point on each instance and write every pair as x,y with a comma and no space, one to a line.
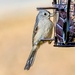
43,29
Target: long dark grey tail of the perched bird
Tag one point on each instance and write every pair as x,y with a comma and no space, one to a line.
30,60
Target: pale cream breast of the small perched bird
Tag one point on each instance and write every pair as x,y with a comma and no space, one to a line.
45,27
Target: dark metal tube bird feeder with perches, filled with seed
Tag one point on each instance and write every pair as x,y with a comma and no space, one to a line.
64,23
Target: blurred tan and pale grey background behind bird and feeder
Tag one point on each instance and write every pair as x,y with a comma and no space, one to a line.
17,19
